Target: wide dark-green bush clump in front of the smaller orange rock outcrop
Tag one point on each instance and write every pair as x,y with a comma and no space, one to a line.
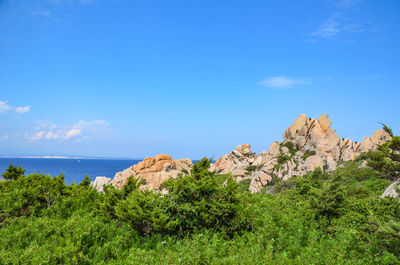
193,202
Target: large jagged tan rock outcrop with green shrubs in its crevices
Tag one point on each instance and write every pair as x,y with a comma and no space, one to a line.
307,144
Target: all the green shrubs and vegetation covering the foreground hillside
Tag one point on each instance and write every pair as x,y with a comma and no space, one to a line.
319,218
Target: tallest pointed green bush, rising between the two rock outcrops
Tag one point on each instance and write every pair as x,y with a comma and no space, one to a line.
198,201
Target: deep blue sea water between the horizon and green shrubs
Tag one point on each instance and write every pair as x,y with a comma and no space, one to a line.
74,170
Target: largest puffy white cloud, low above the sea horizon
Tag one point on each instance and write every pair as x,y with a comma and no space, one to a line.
81,130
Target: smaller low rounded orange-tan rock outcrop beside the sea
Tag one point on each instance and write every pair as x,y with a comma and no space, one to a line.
153,171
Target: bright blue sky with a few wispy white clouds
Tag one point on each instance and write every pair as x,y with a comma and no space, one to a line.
136,78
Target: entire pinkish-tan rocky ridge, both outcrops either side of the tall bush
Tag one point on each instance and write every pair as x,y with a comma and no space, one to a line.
308,143
